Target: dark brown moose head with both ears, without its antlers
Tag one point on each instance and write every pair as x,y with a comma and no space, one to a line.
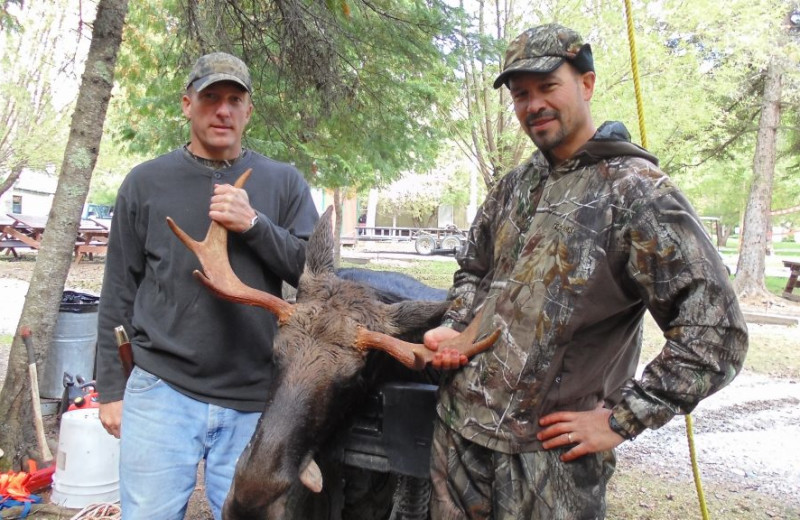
318,379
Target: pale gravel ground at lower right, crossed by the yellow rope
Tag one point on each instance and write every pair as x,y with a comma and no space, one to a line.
745,438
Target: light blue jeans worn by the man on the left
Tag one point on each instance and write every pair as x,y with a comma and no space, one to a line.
165,434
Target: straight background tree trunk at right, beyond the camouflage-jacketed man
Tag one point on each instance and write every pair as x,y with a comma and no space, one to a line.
750,281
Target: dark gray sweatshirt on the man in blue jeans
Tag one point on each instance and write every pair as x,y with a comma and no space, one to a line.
210,349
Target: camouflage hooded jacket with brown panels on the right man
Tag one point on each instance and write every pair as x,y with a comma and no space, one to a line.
564,261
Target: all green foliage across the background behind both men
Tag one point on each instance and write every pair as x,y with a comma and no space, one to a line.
354,93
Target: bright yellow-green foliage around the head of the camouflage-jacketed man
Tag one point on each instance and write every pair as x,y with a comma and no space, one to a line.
700,82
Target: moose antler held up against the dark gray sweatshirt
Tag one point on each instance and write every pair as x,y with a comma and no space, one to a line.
217,273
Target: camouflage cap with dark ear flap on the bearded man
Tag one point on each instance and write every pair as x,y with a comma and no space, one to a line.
543,49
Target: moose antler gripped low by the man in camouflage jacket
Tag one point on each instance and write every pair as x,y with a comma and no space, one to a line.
415,355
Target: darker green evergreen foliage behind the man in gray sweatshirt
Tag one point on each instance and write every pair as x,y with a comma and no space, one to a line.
351,89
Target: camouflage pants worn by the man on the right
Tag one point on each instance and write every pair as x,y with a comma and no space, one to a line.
474,482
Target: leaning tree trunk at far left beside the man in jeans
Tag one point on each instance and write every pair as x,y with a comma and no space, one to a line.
53,260
